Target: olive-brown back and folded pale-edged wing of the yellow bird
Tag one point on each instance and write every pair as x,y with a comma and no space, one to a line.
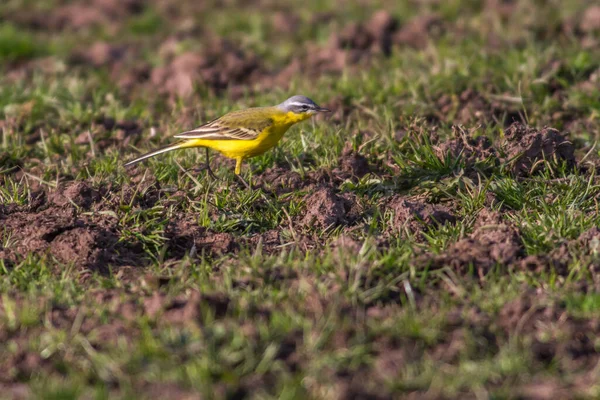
238,125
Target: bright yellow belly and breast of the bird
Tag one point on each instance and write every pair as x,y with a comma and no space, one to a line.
244,148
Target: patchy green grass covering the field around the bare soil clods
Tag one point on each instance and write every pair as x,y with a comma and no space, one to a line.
308,317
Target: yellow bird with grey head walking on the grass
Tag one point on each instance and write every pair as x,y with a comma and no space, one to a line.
244,133
